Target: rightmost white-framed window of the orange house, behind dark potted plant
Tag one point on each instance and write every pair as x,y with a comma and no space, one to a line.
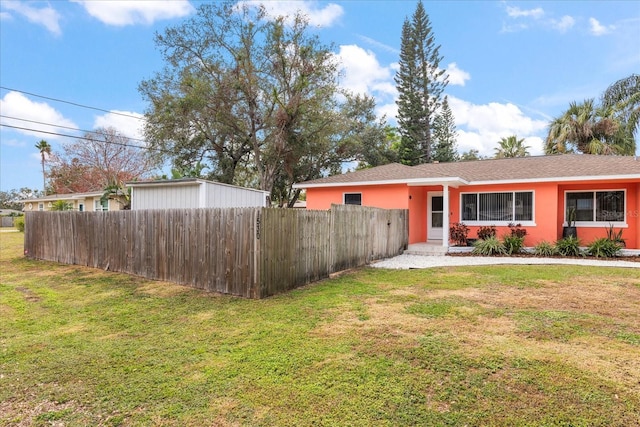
605,206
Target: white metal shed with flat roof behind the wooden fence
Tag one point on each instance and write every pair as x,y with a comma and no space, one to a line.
193,193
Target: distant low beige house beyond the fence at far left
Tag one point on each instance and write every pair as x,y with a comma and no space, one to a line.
83,202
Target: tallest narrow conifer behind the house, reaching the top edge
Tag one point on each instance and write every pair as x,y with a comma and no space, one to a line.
420,83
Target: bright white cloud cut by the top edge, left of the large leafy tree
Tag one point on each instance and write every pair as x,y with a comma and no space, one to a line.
122,13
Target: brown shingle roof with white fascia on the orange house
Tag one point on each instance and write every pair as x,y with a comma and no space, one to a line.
544,168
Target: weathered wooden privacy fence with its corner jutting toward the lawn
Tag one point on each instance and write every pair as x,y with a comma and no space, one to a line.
250,252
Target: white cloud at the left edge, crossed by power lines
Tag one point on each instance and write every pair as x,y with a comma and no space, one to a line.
15,104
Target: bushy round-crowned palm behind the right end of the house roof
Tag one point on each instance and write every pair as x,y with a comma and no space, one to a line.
589,129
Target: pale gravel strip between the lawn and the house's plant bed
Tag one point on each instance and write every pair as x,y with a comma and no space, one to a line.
406,262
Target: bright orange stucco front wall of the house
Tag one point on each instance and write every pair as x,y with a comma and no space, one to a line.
548,207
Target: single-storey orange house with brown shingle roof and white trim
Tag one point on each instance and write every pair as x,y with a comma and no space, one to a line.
532,191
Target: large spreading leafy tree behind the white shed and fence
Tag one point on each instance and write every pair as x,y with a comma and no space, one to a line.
244,93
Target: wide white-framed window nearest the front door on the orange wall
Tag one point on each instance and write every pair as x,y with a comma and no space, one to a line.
495,208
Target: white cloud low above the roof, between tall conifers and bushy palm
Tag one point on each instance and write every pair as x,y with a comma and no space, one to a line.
480,127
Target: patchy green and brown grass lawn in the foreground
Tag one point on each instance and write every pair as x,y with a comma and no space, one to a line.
481,346
